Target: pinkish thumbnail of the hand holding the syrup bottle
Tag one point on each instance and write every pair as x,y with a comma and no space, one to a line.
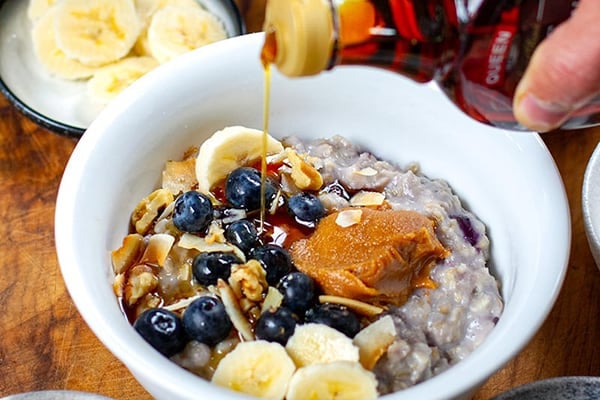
539,115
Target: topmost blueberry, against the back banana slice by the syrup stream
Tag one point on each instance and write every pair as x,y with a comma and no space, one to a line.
242,188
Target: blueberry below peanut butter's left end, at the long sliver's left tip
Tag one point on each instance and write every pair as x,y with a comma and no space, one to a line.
299,292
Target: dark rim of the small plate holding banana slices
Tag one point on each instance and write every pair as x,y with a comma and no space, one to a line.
69,130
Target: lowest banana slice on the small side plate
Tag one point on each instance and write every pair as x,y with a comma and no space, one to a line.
111,80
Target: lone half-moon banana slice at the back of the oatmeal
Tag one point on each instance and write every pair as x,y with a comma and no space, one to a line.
228,149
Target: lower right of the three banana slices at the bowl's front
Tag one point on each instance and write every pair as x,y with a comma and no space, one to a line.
340,380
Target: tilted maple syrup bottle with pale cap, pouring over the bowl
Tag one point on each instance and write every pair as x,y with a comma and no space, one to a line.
476,50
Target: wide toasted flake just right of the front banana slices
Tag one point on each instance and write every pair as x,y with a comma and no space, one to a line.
374,340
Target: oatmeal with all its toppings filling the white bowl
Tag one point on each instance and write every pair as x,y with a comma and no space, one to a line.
361,275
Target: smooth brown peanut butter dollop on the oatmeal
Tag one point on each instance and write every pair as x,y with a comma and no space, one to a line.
382,257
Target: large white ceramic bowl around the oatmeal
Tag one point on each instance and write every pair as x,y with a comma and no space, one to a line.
507,178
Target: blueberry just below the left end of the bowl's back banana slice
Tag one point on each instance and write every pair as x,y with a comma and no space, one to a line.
193,212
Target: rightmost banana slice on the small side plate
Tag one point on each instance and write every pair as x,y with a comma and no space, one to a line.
177,30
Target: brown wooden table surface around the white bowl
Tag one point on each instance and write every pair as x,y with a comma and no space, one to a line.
44,343
